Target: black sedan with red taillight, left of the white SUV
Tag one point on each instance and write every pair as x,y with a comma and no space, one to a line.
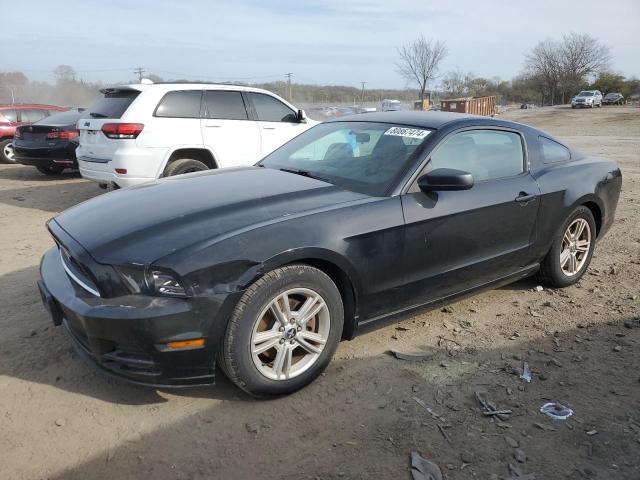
49,144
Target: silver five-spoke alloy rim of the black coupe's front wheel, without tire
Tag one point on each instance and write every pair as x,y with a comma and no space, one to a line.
290,334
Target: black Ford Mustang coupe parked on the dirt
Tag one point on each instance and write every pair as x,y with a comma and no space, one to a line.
264,269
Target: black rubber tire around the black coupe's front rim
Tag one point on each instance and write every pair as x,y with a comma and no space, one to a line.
235,355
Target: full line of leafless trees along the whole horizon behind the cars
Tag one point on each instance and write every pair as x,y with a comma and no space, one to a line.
554,70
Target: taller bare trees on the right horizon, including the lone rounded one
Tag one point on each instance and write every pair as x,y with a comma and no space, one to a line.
554,71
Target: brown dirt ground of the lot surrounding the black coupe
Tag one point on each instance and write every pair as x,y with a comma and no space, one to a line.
59,419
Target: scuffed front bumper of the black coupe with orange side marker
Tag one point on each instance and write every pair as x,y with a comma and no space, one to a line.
127,336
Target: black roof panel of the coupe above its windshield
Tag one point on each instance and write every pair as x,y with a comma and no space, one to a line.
432,120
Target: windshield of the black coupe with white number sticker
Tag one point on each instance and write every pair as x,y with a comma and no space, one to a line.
365,157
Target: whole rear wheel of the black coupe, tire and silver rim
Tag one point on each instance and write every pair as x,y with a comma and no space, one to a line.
571,251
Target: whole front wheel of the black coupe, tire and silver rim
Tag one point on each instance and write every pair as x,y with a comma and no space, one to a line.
283,332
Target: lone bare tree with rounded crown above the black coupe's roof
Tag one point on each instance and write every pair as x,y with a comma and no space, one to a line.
420,60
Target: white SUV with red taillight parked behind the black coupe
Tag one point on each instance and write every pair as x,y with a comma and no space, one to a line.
138,133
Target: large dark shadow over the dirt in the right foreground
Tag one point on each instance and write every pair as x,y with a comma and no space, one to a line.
362,420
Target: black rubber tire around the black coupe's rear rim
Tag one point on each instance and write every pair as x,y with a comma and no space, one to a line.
550,270
